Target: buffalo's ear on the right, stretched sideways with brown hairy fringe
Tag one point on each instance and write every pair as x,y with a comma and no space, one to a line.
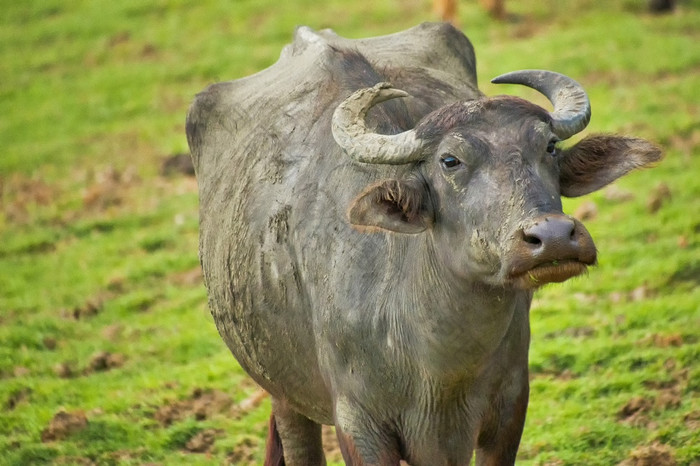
601,159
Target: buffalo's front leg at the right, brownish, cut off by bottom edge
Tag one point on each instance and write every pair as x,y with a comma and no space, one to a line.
501,446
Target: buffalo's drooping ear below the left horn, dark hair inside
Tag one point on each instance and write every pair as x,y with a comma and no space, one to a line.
392,205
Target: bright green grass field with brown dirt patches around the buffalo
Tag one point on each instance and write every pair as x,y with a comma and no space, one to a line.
108,354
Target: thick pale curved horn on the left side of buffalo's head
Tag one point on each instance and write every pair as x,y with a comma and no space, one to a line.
351,133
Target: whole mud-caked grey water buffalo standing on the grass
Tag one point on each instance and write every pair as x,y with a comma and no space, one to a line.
372,264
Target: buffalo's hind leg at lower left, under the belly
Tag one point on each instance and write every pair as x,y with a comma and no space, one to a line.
294,439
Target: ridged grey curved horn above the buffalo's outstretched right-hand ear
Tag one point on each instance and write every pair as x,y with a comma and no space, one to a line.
572,109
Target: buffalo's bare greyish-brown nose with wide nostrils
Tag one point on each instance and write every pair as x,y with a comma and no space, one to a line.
556,237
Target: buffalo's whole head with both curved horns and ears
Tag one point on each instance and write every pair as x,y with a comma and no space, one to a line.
488,178
